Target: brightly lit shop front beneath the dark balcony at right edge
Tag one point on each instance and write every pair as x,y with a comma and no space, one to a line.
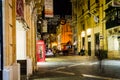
113,42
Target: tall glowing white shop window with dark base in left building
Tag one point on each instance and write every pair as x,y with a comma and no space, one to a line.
21,46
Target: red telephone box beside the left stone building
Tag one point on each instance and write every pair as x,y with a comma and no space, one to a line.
40,51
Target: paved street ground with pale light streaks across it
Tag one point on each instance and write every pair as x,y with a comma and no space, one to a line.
76,68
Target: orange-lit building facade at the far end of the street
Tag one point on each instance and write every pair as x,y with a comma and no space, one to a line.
64,34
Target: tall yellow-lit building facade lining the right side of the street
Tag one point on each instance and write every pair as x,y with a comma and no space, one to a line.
94,29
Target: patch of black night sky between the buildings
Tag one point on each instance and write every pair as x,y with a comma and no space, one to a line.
62,7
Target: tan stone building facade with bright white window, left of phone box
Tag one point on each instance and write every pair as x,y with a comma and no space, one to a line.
19,37
